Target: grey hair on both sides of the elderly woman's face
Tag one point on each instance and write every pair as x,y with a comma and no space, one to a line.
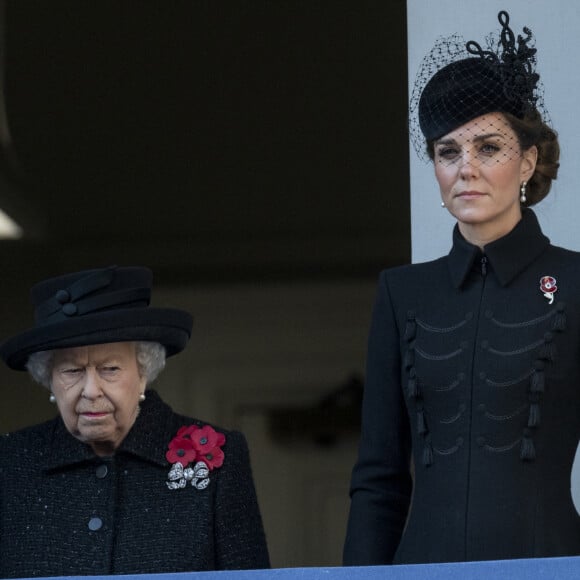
150,360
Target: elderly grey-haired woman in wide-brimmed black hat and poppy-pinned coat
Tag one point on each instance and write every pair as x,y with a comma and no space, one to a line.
118,483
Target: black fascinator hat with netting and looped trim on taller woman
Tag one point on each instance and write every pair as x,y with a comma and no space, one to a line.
459,81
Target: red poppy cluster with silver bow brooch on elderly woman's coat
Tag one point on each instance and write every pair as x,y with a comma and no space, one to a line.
193,453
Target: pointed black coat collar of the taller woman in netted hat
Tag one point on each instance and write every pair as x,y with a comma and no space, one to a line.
507,256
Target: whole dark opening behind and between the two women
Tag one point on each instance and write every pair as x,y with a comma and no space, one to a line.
254,154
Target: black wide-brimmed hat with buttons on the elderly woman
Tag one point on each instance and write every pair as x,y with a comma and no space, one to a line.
97,307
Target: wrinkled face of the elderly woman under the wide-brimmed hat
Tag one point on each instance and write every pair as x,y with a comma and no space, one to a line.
97,391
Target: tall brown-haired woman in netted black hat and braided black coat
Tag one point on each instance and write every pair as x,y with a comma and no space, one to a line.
471,413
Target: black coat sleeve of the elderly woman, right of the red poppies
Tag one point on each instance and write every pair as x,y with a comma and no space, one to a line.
240,540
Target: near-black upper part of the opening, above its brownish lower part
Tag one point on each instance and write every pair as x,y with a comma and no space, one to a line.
209,140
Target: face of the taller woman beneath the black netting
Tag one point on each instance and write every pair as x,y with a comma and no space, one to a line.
480,168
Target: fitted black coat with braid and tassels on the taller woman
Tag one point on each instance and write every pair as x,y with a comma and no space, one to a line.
473,378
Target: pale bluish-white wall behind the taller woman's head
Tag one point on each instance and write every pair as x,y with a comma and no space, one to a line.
555,25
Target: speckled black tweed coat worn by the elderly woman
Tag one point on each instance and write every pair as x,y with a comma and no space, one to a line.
64,511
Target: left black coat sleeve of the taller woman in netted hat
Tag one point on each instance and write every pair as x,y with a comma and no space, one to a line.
381,480
